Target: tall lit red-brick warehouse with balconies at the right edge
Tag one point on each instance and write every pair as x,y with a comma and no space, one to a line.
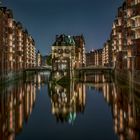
126,36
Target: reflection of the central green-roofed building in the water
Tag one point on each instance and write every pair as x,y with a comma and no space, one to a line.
67,102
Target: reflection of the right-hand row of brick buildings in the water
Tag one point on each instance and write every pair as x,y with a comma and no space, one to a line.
125,109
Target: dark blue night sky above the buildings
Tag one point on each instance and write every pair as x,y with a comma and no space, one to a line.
46,18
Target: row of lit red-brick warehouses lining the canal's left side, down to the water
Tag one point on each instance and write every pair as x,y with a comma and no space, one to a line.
17,47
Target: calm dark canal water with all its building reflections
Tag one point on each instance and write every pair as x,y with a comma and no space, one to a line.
96,108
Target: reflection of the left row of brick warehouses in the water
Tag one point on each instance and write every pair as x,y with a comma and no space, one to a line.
16,105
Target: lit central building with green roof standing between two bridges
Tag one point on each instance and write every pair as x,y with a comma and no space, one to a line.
68,53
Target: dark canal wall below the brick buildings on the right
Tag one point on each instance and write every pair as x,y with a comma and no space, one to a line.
131,78
